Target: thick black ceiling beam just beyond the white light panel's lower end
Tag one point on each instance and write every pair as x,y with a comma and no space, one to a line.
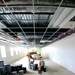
38,30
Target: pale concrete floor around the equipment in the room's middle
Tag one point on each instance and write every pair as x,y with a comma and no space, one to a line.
52,68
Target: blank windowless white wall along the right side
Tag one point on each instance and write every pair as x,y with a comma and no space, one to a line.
62,52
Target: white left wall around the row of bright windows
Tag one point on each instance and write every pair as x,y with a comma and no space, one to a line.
9,59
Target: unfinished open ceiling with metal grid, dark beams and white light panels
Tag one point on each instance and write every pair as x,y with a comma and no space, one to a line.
36,22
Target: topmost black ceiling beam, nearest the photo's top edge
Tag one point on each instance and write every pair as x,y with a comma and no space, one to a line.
52,5
